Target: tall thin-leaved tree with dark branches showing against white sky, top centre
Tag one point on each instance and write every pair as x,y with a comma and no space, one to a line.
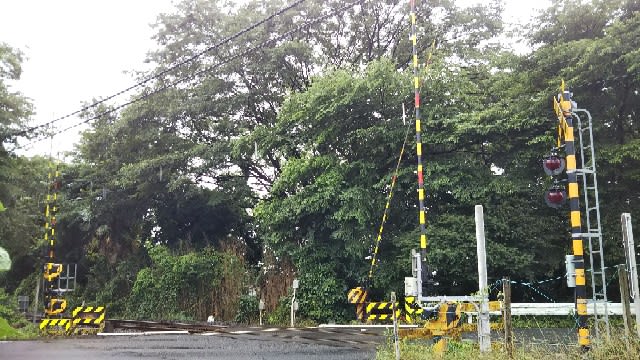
225,106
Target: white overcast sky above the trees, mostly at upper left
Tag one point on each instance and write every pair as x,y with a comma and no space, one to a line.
77,50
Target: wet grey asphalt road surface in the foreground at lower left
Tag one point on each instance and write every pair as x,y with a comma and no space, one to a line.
274,346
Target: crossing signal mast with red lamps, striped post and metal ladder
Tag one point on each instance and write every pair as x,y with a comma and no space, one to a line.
567,114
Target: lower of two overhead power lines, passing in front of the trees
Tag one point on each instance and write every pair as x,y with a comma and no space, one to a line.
207,69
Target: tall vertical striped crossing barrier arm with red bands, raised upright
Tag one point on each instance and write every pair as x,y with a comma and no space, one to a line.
416,84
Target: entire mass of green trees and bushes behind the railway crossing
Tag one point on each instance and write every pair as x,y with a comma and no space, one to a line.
277,165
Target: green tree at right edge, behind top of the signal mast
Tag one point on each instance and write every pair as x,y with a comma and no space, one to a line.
593,47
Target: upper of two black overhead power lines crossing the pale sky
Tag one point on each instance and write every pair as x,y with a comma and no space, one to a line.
163,72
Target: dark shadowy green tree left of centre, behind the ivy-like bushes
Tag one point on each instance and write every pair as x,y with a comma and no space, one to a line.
140,163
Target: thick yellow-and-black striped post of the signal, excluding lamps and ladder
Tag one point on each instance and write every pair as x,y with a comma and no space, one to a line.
562,107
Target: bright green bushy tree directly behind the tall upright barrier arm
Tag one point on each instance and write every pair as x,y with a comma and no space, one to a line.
341,139
